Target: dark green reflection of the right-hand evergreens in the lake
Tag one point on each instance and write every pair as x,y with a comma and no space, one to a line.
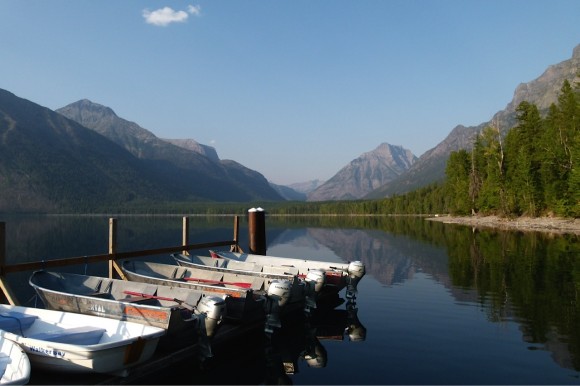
534,276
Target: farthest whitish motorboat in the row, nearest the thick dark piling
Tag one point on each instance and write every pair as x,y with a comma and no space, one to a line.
328,278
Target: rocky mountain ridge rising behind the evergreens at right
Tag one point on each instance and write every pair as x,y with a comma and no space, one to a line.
430,167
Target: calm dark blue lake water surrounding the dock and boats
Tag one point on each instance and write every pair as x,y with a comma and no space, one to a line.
440,304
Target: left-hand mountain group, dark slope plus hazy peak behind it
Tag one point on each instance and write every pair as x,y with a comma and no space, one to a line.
50,162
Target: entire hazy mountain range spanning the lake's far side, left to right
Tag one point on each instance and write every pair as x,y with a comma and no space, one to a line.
85,157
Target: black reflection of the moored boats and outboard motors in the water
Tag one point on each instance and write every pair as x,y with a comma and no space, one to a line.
277,357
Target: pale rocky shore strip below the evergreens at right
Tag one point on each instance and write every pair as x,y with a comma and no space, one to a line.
536,224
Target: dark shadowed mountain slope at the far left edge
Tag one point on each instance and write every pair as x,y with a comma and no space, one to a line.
50,163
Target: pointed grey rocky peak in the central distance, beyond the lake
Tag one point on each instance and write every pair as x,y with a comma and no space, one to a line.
365,173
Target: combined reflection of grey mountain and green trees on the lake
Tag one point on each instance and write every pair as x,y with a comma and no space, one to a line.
531,278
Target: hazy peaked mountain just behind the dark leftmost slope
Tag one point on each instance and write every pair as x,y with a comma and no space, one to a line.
192,174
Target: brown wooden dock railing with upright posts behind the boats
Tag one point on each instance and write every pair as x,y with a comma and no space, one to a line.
112,256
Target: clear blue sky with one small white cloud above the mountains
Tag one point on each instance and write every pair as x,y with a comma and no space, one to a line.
292,89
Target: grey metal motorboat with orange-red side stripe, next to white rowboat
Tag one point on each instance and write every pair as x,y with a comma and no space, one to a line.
190,317
